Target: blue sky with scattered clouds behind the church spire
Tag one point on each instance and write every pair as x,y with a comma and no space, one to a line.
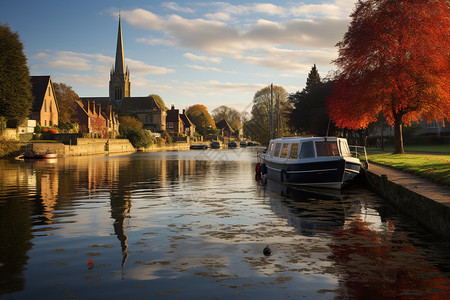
188,52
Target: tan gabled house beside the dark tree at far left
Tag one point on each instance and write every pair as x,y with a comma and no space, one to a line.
45,108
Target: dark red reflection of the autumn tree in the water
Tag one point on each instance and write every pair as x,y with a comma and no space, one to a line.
382,265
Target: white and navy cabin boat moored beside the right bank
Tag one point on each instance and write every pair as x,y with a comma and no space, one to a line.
309,161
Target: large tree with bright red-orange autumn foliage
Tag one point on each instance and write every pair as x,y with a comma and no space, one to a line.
394,59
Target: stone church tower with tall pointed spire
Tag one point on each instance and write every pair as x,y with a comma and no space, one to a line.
119,83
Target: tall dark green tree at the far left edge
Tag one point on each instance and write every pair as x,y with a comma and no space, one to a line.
16,98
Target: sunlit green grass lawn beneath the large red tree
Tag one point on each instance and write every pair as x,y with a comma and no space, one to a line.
433,166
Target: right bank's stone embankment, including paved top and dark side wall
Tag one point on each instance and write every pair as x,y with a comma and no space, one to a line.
419,198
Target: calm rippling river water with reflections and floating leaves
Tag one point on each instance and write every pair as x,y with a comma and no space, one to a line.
193,224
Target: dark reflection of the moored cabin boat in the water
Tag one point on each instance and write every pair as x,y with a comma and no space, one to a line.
308,210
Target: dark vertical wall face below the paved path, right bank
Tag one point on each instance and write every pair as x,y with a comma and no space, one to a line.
432,214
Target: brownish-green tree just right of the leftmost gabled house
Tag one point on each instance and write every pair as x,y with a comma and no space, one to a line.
65,98
